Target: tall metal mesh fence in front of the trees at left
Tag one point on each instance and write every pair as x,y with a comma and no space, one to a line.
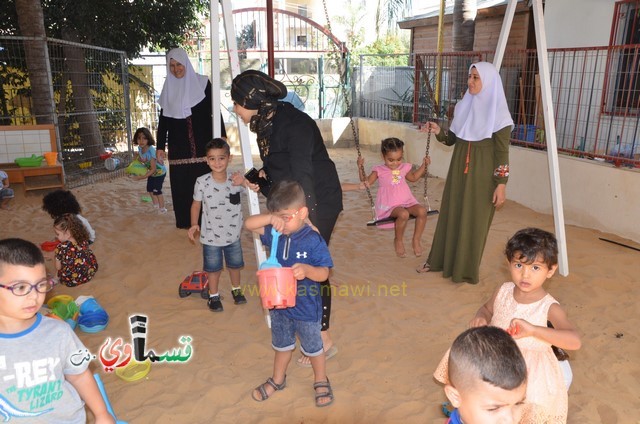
89,98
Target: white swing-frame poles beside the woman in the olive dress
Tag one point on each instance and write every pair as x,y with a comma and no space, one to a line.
547,106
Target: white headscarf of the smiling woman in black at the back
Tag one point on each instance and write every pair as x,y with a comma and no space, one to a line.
179,95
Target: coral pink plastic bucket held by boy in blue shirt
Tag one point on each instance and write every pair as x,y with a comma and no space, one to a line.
278,288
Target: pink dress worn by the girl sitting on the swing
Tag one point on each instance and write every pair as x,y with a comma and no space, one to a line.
393,190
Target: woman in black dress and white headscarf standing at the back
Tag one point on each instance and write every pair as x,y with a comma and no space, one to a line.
185,125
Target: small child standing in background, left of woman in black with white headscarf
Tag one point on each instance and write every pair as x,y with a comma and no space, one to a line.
156,170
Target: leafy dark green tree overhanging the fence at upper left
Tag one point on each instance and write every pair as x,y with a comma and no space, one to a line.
117,24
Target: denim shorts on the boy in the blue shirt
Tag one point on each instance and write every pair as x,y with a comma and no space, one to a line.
285,329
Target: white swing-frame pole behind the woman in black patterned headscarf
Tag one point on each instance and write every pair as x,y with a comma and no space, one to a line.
243,132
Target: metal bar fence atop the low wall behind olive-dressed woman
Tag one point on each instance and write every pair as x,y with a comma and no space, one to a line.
595,94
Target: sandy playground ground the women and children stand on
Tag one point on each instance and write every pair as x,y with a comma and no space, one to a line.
391,325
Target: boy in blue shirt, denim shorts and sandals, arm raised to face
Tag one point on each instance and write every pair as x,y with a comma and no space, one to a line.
305,252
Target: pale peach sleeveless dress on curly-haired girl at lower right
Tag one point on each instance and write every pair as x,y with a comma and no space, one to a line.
545,384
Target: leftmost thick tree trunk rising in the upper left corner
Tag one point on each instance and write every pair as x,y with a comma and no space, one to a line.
31,23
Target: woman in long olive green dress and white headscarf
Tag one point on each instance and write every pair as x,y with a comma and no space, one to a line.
477,178
